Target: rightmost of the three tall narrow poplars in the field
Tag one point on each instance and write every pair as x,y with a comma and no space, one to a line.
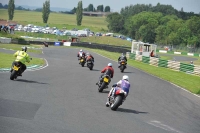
79,13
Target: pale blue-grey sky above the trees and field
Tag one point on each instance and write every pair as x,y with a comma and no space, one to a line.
115,5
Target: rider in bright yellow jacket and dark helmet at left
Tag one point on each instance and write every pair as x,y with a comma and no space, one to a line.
21,57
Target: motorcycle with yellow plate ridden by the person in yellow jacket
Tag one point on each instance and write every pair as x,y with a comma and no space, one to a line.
16,69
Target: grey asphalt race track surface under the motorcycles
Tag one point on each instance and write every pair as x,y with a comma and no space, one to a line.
63,98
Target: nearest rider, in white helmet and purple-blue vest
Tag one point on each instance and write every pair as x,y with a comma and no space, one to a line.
123,84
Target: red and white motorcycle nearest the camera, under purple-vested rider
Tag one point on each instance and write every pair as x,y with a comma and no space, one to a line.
117,100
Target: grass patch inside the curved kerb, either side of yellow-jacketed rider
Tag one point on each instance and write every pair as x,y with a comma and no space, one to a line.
7,59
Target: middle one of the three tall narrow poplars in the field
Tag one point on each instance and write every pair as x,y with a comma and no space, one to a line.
46,11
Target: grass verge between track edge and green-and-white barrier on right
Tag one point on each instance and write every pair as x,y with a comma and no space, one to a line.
189,82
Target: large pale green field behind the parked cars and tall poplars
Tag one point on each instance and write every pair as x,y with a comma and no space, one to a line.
56,20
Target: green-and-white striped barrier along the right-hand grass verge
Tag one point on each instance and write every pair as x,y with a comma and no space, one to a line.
174,65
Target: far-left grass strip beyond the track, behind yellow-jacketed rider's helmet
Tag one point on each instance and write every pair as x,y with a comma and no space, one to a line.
18,47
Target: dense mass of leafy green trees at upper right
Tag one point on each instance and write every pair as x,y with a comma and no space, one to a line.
160,24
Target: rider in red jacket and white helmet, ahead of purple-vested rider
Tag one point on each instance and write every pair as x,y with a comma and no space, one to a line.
108,70
